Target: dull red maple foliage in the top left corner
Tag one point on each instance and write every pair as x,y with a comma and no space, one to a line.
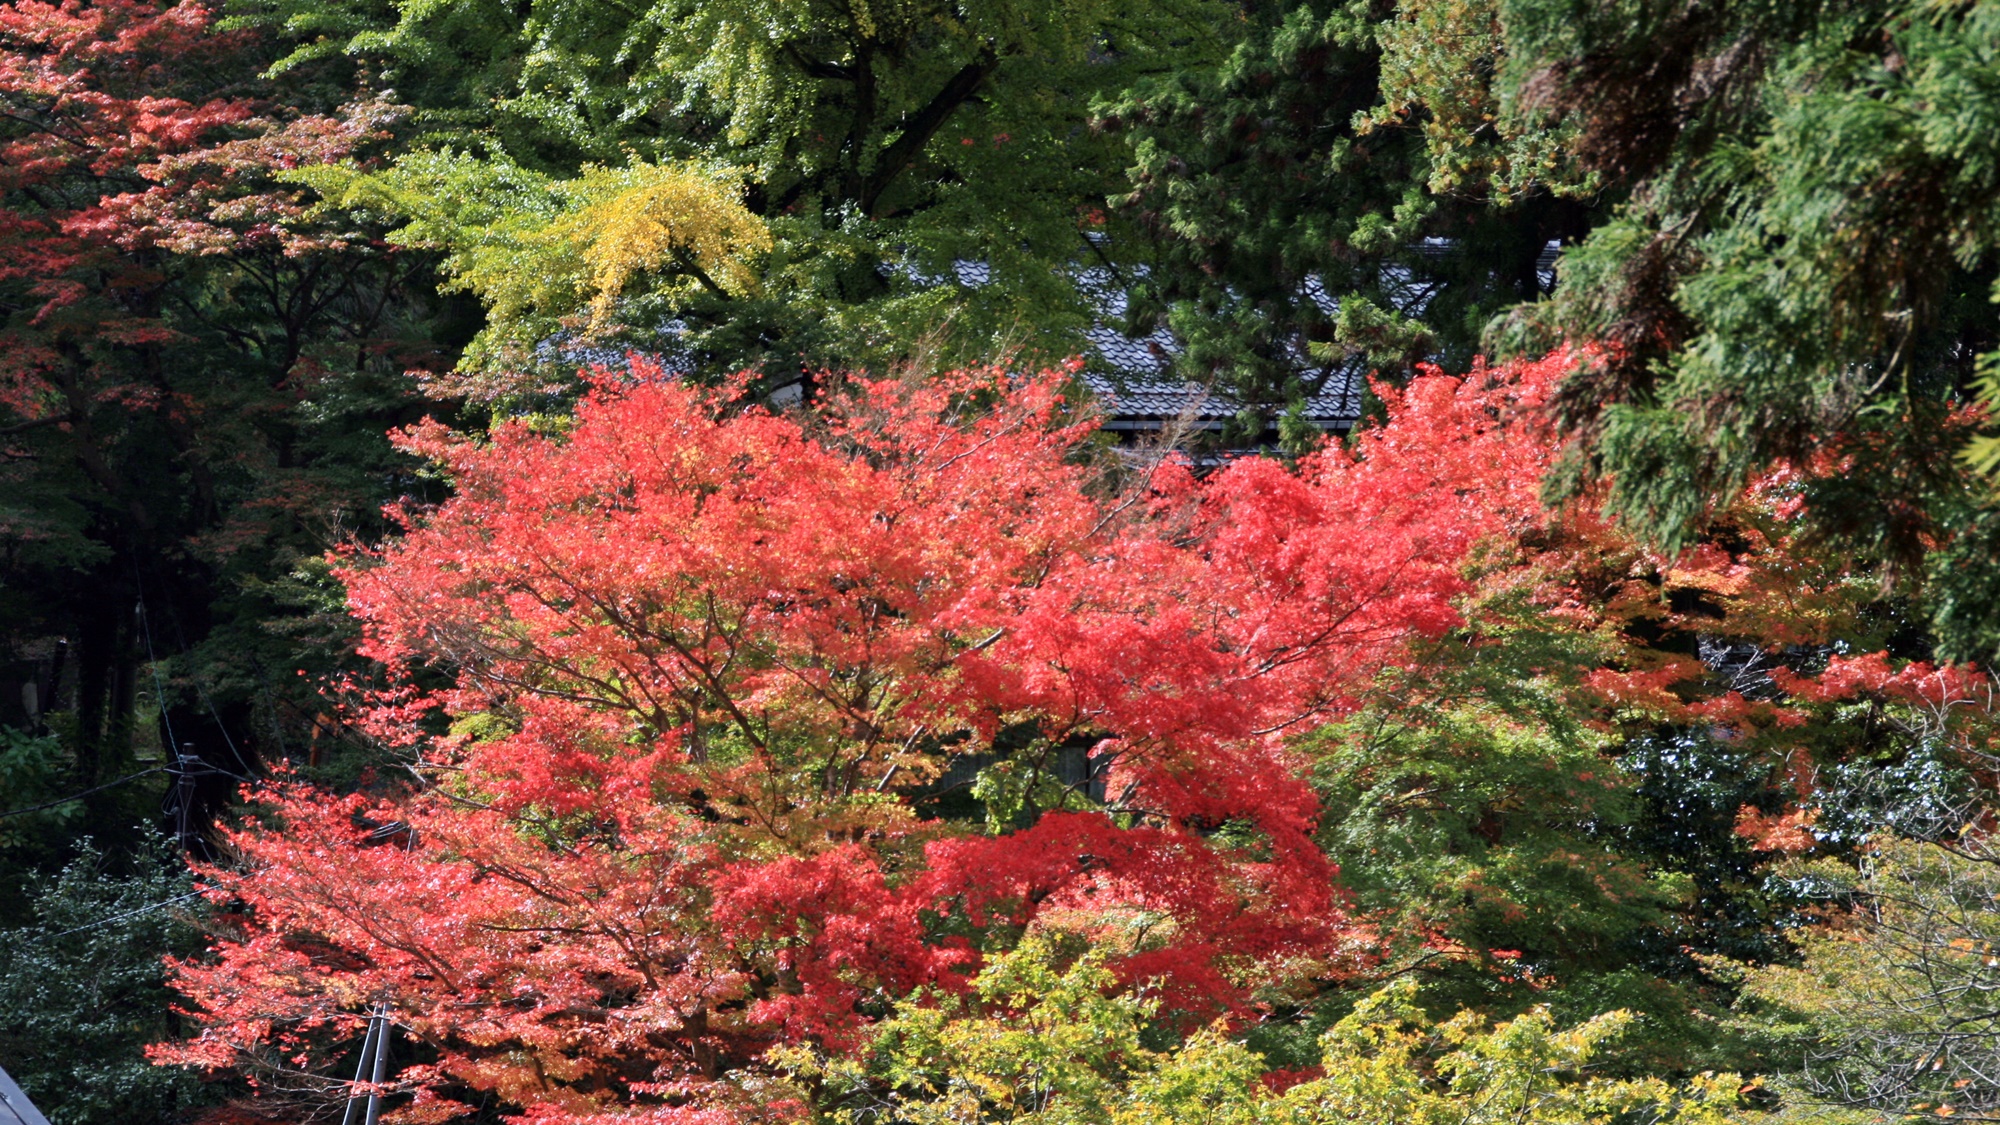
129,139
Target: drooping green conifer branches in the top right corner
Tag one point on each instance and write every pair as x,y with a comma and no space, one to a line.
1801,269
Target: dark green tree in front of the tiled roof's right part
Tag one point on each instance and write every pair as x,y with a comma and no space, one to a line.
1339,189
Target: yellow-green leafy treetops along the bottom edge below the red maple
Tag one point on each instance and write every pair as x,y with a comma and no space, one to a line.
1043,1044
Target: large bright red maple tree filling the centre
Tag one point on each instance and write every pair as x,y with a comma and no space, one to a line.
717,672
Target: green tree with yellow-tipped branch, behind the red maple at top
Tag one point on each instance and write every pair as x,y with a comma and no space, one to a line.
879,175
